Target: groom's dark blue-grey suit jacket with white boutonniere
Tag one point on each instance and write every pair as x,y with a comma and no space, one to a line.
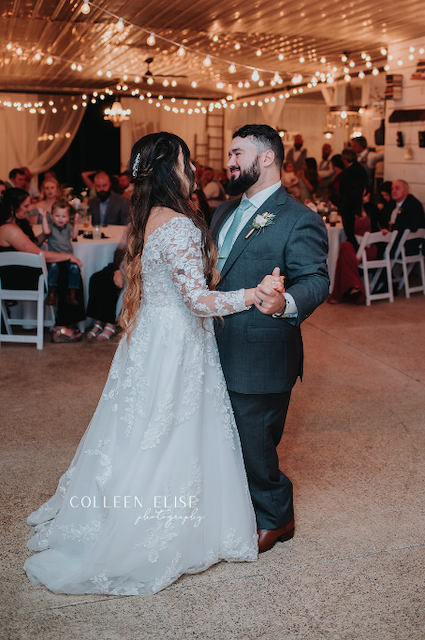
261,354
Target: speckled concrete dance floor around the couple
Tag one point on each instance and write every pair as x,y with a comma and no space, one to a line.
354,446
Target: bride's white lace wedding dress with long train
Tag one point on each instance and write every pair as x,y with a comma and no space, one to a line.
157,487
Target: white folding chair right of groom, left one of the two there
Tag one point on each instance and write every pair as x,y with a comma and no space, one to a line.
376,267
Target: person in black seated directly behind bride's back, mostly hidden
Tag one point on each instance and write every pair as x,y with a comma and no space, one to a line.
104,290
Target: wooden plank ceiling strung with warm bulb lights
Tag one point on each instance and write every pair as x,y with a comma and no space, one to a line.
88,52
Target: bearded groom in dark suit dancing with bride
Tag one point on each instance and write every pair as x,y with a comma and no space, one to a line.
261,349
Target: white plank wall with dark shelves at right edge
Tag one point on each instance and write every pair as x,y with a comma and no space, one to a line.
413,96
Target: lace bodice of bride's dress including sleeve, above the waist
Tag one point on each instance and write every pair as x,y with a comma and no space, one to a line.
172,272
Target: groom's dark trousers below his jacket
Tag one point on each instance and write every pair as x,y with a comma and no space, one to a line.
260,419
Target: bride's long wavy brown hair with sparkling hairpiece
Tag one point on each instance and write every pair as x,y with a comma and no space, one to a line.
153,165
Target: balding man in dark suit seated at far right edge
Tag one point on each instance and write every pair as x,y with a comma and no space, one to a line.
408,213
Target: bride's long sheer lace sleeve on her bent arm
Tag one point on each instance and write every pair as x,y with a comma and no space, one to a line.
182,254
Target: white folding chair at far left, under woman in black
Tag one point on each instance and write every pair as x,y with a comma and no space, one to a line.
36,261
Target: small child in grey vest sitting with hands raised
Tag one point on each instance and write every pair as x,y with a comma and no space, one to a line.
59,234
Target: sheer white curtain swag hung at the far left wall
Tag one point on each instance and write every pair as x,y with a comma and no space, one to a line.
37,140
